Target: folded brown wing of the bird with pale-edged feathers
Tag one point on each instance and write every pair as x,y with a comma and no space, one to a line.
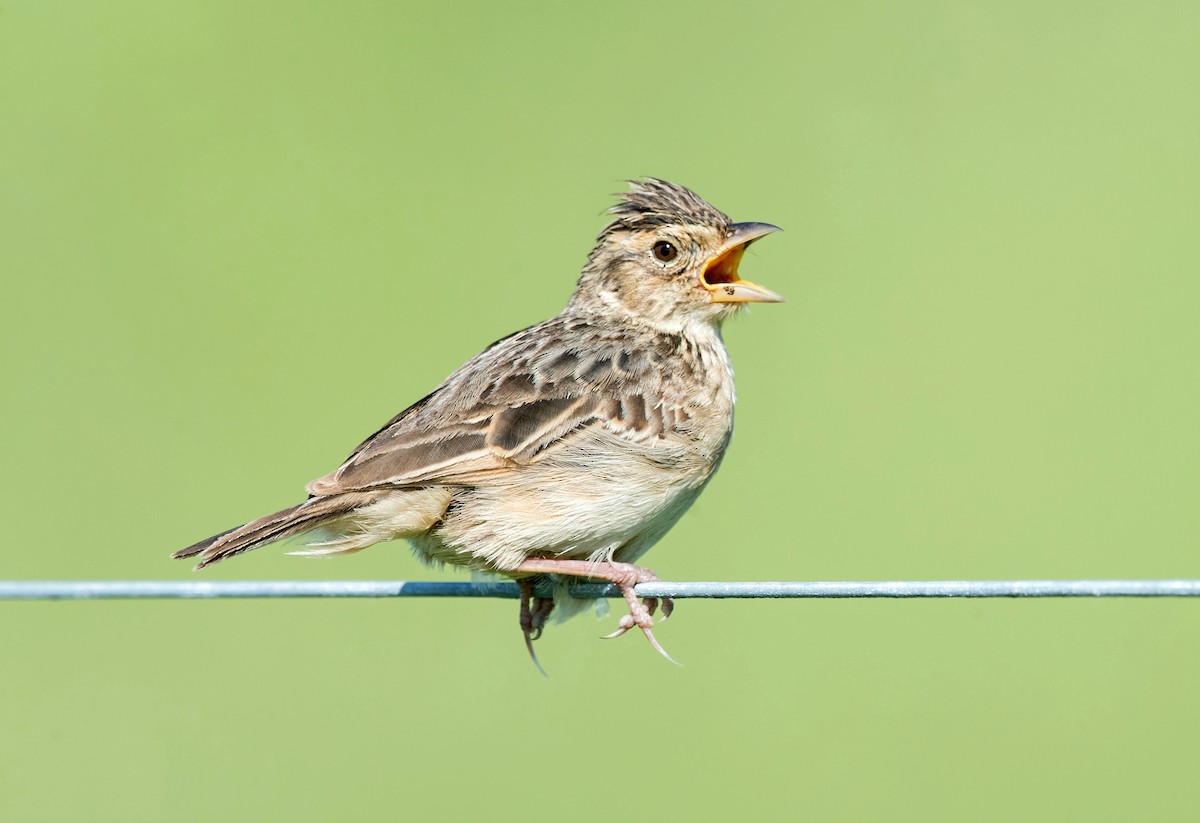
519,400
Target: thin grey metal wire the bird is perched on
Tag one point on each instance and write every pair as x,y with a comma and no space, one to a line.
214,590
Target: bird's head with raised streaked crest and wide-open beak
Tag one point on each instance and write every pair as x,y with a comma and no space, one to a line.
670,259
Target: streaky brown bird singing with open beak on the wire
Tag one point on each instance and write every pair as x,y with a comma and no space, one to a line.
567,449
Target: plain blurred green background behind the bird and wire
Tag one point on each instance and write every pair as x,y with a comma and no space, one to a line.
236,238
